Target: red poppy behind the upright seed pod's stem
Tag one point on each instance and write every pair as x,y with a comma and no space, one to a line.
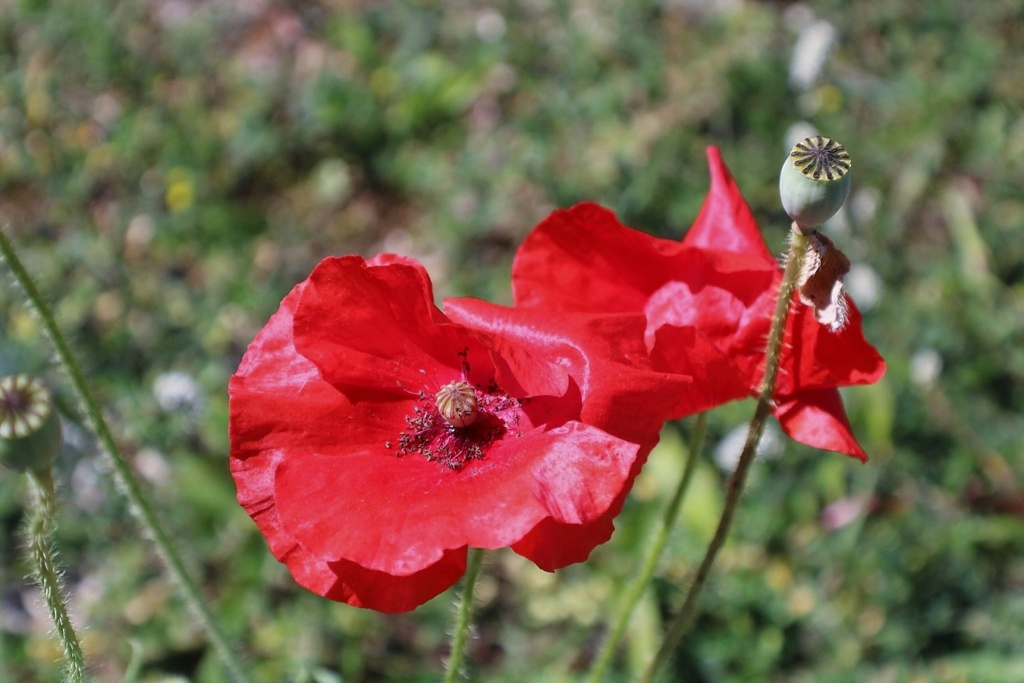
710,301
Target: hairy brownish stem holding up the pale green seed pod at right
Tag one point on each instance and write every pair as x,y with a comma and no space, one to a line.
685,620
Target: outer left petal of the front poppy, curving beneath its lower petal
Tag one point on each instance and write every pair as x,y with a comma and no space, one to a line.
280,405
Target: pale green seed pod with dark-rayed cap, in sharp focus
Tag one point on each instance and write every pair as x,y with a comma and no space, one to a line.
815,182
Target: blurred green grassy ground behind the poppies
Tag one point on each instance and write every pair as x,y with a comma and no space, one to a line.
172,168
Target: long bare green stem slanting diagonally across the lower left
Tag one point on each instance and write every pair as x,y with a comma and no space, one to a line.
129,485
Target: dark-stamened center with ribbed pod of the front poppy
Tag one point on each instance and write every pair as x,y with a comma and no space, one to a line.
458,423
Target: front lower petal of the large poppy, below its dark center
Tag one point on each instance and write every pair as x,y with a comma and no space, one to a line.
400,516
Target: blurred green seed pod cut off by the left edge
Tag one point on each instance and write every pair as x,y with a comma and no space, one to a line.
30,429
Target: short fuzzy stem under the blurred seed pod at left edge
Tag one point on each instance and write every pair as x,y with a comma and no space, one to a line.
39,528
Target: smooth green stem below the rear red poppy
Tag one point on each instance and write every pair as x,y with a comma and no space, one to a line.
655,550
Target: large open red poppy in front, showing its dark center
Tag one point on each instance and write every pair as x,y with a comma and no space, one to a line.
374,439
